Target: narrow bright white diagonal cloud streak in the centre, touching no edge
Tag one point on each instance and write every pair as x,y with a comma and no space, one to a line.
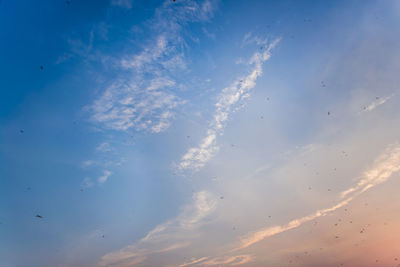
228,101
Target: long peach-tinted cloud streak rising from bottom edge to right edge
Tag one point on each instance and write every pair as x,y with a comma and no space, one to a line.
383,167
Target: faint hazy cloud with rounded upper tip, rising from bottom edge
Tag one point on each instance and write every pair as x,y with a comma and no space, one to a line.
171,235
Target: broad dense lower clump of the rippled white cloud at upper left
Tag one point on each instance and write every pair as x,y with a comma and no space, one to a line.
125,106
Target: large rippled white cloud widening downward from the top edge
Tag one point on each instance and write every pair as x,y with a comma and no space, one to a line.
146,95
